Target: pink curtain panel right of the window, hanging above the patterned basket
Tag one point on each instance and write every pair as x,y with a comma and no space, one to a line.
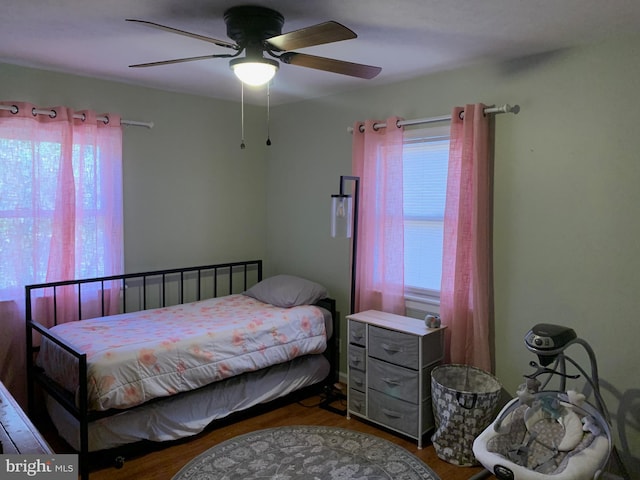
466,301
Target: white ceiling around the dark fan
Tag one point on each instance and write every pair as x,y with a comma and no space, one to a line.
407,38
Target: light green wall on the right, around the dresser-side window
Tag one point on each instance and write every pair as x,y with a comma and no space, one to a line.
567,199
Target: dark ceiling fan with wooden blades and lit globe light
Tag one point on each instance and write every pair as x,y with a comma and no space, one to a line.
258,30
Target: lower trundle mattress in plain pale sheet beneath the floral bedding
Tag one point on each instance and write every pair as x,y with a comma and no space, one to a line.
189,413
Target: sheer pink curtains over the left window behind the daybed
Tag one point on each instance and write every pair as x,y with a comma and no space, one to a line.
61,213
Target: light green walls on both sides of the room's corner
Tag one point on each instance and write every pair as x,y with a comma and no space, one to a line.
566,189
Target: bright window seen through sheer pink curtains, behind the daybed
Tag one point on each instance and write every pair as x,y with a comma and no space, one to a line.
29,199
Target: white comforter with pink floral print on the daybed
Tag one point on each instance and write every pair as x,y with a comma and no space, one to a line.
135,357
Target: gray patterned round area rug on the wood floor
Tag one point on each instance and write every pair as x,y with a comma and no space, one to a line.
306,452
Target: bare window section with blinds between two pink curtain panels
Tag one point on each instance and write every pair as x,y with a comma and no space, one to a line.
425,164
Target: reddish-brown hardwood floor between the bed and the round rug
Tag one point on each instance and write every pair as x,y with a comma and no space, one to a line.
163,461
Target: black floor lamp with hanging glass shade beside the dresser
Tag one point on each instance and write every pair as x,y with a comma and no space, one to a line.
344,224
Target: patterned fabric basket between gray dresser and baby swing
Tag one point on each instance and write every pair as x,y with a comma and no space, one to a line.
465,401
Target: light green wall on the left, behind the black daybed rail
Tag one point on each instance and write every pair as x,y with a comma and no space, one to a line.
191,195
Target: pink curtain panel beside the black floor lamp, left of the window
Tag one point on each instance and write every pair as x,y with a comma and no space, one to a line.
377,160
